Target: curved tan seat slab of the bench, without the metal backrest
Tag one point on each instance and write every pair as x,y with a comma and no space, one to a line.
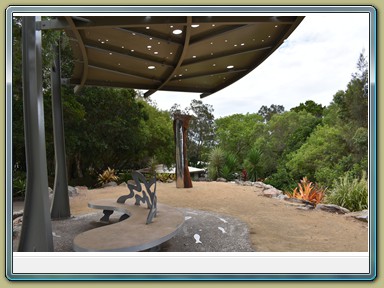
131,234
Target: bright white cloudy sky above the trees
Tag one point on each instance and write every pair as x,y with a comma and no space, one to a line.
315,62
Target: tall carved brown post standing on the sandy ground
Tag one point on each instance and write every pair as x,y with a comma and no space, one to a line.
180,128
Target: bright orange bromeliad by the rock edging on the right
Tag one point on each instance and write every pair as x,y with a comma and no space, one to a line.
308,191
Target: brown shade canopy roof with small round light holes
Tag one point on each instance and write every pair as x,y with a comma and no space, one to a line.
200,54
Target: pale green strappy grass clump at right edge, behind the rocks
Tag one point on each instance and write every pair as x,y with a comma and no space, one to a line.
349,192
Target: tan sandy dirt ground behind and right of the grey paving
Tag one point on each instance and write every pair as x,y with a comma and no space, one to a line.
274,225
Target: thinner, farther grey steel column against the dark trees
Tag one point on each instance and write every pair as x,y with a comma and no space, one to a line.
60,204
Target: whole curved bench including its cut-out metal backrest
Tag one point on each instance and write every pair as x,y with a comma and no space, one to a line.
139,228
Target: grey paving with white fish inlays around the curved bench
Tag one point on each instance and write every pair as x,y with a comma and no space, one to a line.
217,233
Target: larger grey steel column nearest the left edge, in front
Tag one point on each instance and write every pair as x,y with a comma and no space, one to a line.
36,231
